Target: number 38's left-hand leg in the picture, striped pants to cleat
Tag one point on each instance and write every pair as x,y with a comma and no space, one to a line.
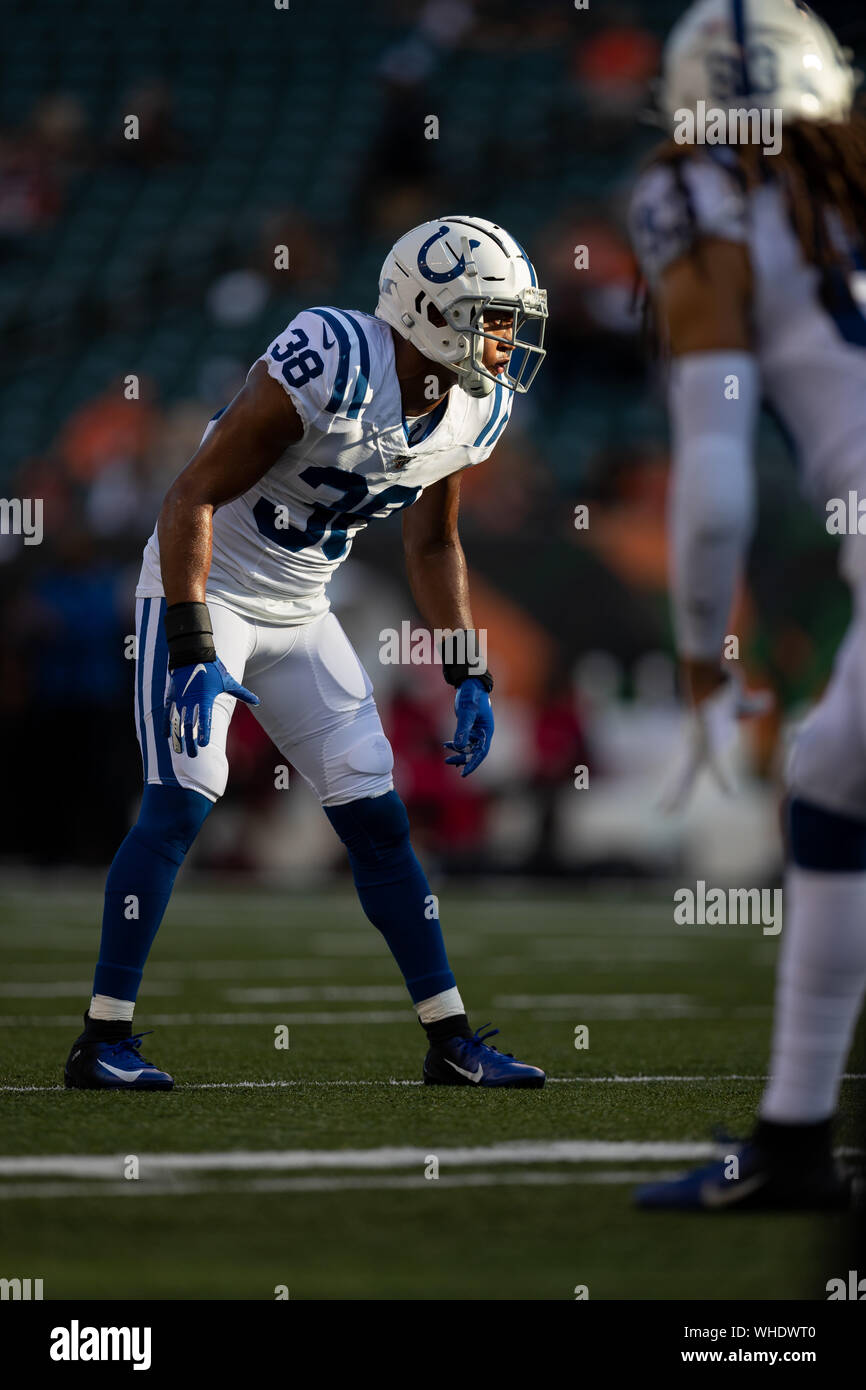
179,796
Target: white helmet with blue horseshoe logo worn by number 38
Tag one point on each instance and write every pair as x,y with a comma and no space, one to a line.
441,280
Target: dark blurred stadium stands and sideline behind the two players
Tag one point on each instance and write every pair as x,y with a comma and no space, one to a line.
156,258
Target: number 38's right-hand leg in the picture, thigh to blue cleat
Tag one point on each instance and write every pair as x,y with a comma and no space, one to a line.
318,707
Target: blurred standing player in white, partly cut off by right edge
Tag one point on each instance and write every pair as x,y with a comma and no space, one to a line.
751,261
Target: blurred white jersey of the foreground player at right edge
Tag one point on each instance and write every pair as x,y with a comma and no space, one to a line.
812,359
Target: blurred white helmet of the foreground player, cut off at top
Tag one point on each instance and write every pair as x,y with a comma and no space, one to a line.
757,54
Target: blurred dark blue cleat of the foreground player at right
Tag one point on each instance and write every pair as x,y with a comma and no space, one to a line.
753,1184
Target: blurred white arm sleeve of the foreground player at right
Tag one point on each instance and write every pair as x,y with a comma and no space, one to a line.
712,494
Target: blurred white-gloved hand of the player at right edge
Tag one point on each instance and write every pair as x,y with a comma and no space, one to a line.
711,735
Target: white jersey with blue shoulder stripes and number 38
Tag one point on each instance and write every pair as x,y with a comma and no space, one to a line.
276,548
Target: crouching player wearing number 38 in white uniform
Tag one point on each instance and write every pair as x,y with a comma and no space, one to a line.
347,418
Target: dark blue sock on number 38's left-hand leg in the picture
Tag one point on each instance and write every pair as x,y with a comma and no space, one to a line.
140,885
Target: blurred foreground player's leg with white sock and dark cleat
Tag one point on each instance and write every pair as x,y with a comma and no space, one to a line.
822,968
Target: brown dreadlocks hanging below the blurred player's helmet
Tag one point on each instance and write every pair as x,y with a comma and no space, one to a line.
822,172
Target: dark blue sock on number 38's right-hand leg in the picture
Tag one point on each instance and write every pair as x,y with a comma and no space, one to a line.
394,889
